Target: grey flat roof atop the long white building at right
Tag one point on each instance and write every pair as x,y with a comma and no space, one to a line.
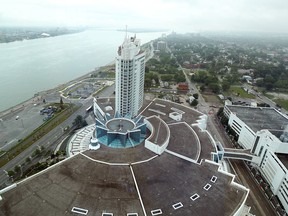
259,118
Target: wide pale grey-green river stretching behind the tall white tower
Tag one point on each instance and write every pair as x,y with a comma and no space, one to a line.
31,66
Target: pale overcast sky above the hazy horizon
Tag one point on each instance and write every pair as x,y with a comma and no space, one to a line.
177,15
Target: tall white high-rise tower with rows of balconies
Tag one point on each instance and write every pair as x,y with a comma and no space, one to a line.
130,71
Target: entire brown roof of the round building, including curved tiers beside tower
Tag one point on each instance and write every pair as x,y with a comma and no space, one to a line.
106,180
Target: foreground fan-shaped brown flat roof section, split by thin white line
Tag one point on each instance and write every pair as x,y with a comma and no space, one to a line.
97,187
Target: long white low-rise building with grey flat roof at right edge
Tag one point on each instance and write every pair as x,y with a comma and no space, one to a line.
264,131
